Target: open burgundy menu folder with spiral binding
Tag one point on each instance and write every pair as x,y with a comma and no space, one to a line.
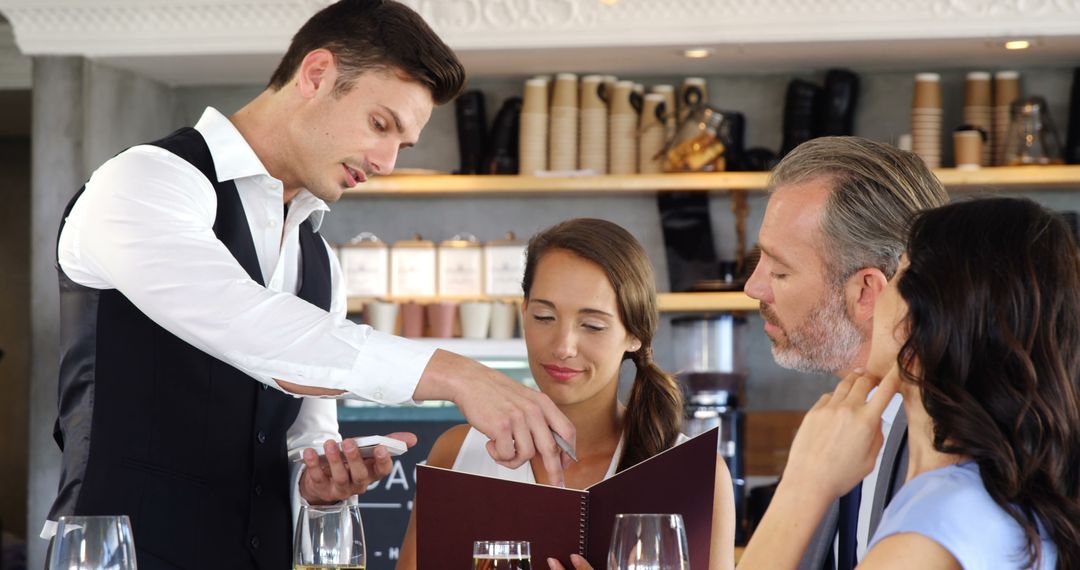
455,509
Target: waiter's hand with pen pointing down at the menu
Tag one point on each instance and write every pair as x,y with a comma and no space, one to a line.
518,420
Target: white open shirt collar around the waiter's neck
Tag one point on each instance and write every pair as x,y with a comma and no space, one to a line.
234,158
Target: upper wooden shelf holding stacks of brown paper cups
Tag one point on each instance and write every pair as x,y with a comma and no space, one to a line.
1001,178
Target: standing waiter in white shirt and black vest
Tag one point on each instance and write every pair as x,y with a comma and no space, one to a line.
198,301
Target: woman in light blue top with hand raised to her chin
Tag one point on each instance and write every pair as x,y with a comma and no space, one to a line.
980,332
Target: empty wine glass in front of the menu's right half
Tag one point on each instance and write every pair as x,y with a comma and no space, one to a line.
649,542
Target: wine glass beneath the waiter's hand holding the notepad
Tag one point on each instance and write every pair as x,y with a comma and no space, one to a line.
330,537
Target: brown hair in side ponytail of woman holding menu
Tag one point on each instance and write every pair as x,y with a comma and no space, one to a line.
655,410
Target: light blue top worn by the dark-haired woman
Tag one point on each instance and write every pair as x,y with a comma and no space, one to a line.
951,507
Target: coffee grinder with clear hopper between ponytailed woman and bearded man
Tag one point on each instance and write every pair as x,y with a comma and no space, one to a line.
708,351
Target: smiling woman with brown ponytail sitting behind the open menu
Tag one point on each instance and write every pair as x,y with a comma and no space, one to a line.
590,305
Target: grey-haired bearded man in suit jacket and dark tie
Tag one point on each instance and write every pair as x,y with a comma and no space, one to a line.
832,238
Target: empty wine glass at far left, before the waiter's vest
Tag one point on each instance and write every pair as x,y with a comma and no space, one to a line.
93,544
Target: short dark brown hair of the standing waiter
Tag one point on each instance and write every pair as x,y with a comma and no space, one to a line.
375,36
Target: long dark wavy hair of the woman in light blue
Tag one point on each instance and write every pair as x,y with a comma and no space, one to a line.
994,314
